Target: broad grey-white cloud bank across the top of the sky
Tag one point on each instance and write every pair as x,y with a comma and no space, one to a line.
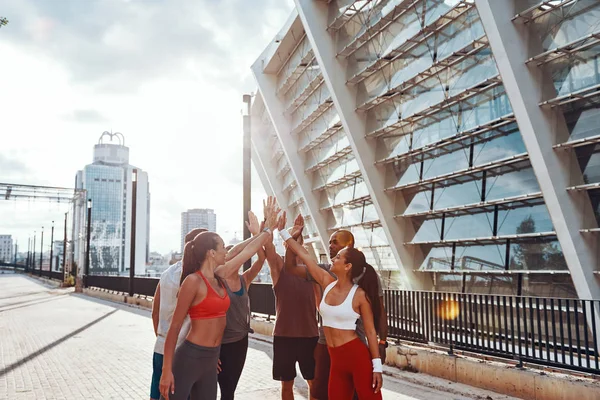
117,46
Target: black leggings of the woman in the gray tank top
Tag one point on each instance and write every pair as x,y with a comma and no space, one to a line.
233,357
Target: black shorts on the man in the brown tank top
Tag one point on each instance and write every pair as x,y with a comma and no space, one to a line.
289,350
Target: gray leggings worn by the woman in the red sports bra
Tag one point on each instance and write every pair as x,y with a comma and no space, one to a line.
195,372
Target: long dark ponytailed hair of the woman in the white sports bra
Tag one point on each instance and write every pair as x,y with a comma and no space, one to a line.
365,276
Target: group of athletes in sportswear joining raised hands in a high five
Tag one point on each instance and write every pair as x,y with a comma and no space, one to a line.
201,315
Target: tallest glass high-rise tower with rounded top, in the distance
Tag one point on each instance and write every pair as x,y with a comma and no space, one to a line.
109,184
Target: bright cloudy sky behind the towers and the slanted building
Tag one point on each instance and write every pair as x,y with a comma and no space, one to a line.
168,74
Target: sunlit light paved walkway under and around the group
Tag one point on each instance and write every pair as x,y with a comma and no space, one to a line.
55,344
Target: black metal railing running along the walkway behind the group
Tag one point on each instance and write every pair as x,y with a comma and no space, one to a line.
555,332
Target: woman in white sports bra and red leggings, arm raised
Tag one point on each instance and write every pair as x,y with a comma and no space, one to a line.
354,294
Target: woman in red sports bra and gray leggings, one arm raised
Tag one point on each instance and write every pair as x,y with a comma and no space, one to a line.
191,370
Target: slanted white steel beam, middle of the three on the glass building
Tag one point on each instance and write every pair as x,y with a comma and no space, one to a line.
314,18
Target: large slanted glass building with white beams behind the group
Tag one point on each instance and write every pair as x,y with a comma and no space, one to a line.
458,140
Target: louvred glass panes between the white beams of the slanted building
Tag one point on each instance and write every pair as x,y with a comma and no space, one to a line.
445,137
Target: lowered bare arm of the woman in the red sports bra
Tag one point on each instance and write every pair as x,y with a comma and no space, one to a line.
187,293
